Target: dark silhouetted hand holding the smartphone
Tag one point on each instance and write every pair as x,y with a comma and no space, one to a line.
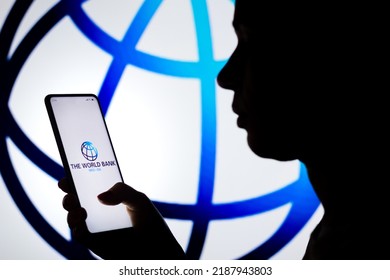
149,238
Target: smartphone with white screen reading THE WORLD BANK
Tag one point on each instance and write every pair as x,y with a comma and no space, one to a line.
87,156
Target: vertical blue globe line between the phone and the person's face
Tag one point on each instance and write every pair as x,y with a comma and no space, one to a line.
208,130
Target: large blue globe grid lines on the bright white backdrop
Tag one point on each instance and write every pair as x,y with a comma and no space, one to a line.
298,194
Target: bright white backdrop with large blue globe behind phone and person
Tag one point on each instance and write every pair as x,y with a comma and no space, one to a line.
153,65
